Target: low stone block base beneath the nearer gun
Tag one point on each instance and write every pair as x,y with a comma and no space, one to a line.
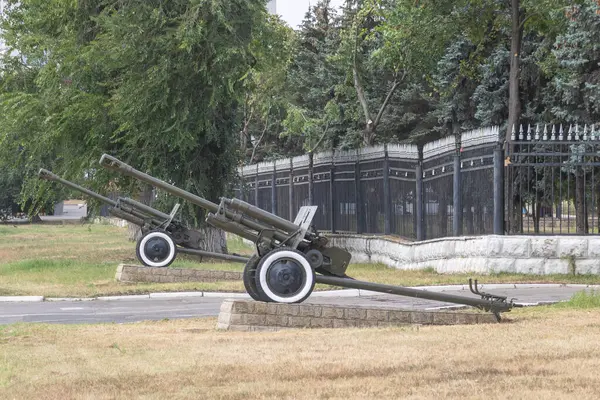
244,315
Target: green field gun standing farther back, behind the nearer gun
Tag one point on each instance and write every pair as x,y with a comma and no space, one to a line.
162,235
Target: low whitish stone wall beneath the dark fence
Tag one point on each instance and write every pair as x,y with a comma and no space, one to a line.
538,255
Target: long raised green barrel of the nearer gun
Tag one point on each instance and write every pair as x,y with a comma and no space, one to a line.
114,164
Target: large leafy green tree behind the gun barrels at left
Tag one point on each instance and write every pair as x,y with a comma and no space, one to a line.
158,84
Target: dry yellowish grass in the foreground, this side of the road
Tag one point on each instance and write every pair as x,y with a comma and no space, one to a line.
541,354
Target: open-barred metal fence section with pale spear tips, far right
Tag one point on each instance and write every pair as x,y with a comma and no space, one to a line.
552,180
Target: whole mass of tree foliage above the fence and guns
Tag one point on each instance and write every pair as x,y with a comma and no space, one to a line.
190,89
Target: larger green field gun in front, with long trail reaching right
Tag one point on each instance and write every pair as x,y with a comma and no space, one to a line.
292,256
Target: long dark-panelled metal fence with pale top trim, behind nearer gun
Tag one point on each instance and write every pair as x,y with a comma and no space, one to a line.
449,188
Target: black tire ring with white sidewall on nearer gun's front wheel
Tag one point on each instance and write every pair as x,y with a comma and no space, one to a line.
261,271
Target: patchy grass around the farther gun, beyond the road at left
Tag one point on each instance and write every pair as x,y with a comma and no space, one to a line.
81,261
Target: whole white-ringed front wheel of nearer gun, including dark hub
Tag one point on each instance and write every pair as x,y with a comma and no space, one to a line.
285,276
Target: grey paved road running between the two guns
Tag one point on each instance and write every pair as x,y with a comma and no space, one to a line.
131,310
